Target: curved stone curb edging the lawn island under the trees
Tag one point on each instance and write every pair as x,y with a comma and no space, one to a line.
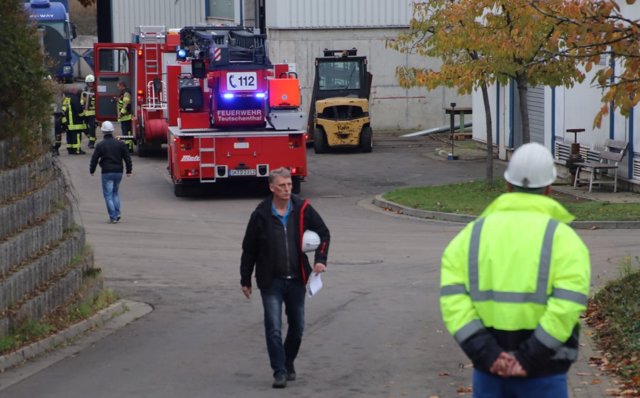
379,201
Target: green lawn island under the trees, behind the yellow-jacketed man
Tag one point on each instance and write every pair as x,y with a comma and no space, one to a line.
473,197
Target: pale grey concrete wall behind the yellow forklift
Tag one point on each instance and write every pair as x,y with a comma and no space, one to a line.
392,107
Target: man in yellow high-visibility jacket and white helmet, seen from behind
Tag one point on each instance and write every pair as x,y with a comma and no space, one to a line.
514,283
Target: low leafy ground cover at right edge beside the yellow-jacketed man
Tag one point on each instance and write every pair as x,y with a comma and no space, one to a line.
614,315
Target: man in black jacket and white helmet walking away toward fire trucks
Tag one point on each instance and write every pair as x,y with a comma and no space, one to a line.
110,153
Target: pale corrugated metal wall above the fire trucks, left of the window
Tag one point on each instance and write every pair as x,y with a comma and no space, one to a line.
128,14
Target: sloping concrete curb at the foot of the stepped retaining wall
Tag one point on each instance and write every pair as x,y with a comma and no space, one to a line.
130,310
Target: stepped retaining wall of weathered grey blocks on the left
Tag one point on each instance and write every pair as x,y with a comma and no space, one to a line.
43,256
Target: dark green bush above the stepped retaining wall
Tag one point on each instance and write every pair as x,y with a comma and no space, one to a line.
25,87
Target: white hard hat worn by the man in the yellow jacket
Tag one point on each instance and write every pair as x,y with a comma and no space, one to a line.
531,166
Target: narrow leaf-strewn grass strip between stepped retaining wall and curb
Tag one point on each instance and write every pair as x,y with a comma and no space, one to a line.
60,319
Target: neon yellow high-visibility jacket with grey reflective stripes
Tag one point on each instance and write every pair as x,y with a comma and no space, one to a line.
521,274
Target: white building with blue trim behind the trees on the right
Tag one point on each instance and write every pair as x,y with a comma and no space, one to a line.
554,110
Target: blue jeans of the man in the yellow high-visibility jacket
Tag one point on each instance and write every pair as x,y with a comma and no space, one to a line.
487,385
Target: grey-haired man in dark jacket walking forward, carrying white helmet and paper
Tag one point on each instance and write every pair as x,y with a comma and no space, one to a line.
273,246
